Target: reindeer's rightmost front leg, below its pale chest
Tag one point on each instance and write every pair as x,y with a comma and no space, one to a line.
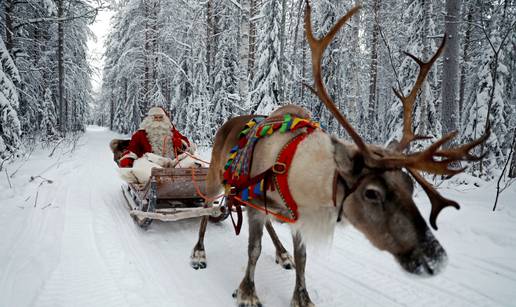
300,297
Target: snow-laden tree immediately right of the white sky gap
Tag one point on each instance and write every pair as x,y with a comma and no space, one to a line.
129,76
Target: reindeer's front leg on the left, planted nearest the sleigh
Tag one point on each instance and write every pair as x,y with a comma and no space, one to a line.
246,292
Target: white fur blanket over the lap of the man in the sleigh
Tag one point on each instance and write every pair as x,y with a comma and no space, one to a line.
142,167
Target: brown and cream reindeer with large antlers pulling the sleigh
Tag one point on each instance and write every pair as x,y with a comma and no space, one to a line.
374,183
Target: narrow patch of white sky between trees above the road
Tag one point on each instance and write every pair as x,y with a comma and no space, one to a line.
100,29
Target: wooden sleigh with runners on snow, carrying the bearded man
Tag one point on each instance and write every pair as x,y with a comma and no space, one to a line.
171,194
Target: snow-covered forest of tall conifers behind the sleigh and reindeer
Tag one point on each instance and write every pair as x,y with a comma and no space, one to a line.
207,61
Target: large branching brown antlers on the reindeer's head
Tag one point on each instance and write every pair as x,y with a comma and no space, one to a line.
433,159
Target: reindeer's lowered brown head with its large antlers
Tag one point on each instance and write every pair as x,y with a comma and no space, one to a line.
379,199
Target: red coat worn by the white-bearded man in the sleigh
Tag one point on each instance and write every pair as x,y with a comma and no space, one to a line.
139,145
